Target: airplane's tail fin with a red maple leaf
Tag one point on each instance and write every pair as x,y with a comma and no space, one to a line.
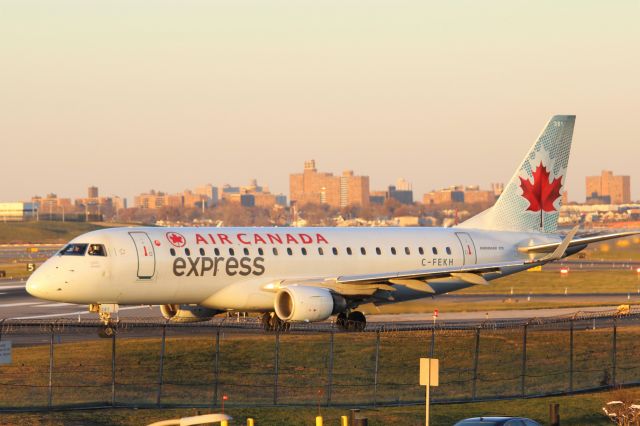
531,200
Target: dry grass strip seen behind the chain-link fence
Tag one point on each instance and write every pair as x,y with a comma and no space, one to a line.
82,369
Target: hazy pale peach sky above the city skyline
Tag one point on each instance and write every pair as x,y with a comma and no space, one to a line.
133,95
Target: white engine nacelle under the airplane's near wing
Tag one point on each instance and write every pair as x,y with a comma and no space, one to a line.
300,303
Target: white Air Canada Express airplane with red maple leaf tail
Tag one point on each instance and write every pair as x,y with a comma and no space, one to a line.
310,274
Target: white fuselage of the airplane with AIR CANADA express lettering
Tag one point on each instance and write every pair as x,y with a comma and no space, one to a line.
231,268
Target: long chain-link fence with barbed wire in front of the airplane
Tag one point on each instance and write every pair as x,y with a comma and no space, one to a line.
64,364
